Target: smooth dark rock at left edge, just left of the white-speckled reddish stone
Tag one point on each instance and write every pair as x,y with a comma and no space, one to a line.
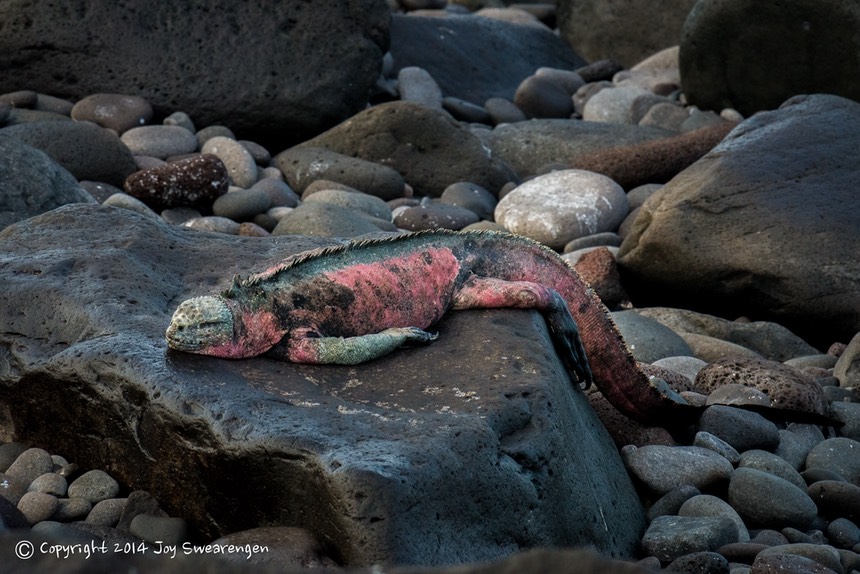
88,151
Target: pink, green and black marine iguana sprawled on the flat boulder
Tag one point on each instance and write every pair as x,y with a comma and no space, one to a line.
358,301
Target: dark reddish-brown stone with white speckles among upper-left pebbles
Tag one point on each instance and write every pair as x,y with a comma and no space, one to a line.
191,181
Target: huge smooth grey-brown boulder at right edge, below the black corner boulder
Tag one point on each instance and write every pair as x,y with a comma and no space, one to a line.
765,225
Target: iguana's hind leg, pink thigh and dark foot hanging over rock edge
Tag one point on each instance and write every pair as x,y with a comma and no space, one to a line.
487,292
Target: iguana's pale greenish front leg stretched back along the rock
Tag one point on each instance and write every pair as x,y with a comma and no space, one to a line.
349,350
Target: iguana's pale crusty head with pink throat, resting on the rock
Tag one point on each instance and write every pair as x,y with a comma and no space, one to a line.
220,327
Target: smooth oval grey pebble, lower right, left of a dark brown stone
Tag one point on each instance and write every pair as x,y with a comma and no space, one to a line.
766,500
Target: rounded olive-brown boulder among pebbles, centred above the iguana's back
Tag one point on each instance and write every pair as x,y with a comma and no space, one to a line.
427,147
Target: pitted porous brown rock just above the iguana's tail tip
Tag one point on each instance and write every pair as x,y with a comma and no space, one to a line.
787,388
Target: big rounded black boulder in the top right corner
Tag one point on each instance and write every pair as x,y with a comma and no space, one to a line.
752,55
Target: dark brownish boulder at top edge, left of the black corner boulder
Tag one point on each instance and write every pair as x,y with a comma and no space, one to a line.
627,31
